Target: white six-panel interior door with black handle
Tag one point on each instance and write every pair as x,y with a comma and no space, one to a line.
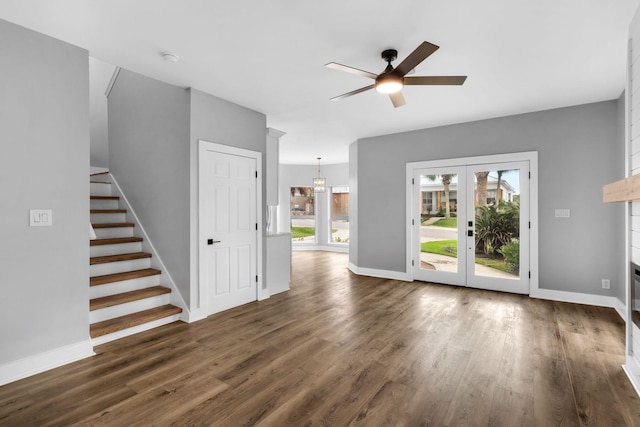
228,229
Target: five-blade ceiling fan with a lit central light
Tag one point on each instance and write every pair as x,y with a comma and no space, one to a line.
392,80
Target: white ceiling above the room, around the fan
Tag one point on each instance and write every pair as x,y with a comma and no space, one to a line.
520,56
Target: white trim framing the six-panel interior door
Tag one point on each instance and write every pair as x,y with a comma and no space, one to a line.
226,149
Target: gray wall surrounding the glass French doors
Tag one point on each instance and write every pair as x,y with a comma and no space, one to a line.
579,151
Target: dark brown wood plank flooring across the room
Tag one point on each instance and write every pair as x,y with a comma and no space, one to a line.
344,350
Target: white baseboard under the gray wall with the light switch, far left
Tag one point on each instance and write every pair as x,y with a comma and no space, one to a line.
31,365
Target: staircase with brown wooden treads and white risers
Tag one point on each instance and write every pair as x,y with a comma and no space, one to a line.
125,292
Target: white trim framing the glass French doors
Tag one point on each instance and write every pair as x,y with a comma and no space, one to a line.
530,156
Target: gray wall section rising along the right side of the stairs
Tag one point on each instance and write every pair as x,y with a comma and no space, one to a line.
149,158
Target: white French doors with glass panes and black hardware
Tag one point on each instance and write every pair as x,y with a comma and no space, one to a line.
471,225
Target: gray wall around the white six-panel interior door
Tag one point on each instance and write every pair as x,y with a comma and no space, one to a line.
215,120
